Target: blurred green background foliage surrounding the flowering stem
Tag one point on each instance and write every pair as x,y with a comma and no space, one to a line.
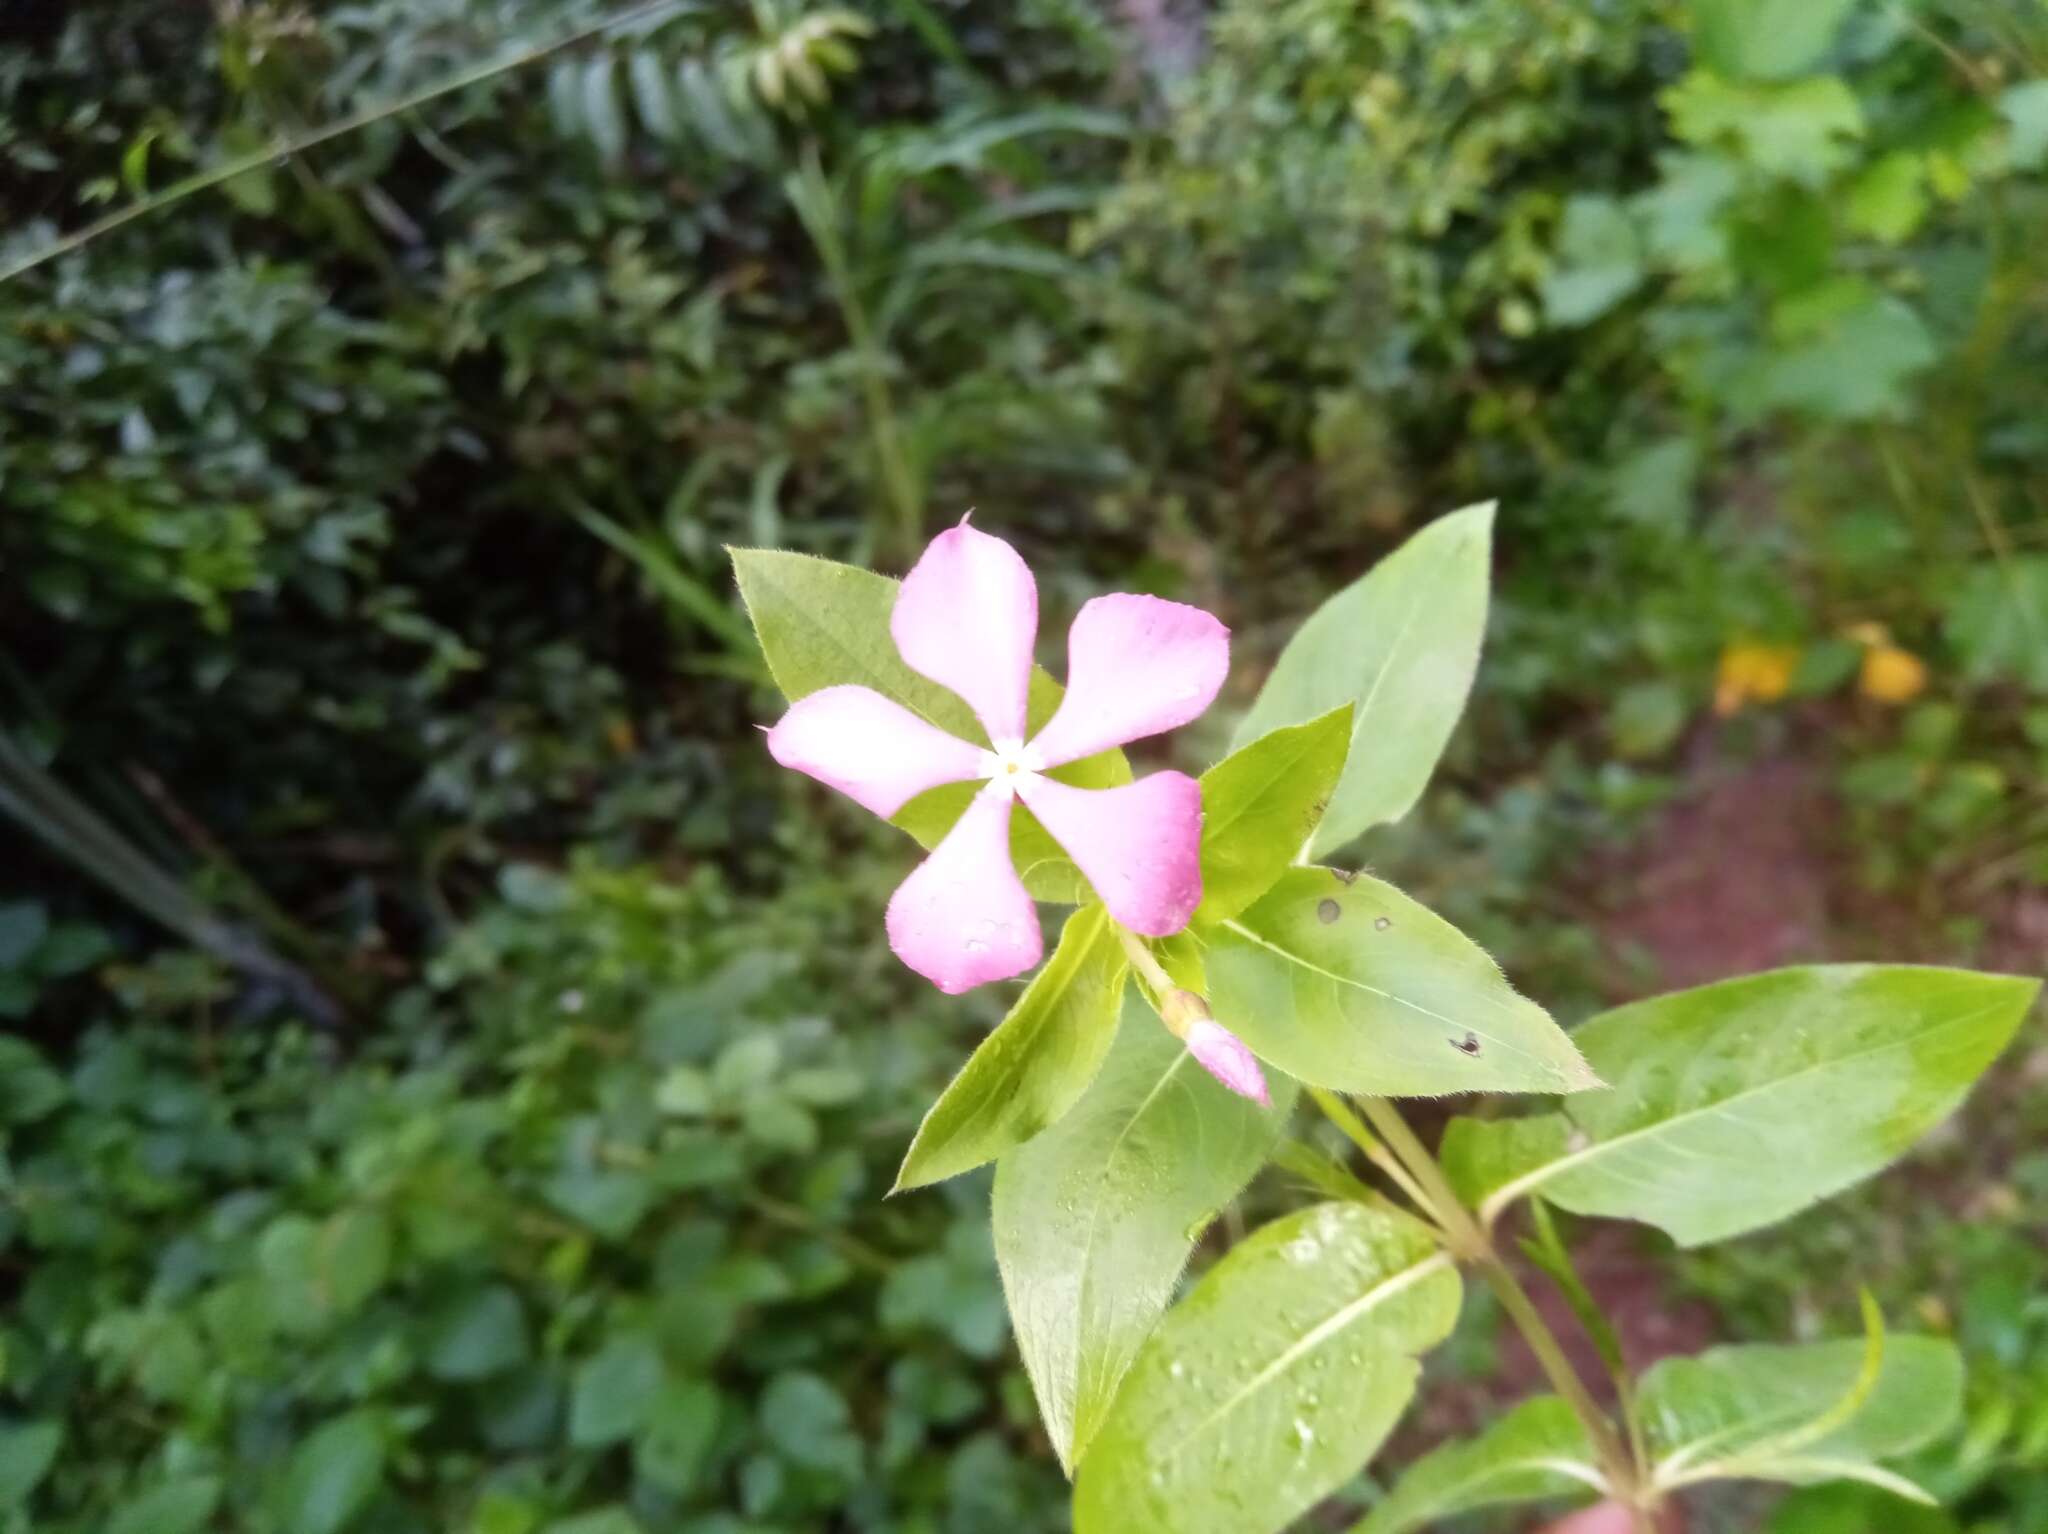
364,548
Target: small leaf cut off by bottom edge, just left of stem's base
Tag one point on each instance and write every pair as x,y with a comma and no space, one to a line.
1535,1453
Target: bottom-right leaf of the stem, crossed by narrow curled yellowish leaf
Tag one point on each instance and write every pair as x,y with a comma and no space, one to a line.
1742,1412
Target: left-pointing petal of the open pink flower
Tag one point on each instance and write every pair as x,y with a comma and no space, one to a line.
873,751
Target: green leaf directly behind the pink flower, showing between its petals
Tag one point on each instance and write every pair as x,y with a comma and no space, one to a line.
828,626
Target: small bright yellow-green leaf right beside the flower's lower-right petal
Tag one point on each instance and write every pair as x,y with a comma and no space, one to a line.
1263,804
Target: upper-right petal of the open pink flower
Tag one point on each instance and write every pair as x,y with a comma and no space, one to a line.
1136,667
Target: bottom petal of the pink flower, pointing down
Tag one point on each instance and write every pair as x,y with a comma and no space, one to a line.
964,917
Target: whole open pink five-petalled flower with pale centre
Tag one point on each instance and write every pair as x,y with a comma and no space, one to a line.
968,620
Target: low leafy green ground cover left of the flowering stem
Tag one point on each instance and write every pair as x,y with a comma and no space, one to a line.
591,1234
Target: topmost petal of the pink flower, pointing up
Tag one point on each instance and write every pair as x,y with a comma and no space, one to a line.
968,617
